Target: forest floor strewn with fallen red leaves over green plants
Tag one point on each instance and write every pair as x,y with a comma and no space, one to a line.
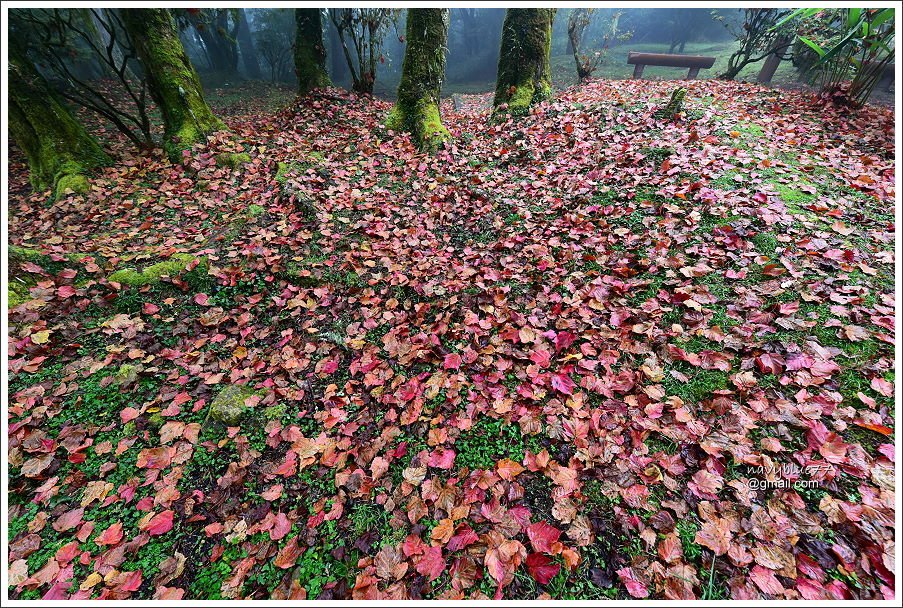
593,353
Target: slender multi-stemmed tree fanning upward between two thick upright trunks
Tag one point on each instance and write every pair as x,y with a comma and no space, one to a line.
366,27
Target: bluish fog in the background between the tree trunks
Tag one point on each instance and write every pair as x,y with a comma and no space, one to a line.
473,44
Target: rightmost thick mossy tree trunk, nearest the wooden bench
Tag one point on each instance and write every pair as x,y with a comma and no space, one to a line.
524,75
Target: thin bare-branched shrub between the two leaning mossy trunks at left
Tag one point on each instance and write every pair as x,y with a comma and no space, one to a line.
53,36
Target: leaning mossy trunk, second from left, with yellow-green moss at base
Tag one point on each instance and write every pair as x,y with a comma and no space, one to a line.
172,80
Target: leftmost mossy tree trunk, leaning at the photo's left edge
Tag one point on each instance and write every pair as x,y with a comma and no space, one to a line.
60,151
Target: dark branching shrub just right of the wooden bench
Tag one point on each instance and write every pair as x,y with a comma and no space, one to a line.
758,38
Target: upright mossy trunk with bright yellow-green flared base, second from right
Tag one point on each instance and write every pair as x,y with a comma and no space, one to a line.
417,109
